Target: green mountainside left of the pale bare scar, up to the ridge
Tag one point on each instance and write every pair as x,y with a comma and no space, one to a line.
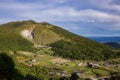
10,39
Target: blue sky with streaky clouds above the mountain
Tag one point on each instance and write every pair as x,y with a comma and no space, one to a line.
83,17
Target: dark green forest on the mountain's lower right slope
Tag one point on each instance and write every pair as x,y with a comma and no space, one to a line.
76,50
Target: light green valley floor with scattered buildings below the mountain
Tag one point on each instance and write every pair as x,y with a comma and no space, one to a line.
60,67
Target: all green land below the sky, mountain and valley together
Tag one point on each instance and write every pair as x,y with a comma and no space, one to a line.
41,51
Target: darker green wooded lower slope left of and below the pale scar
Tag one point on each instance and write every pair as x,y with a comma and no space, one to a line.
14,42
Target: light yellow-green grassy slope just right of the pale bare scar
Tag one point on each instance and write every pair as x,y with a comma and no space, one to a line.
44,36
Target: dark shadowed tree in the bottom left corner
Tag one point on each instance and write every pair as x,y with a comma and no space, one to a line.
7,68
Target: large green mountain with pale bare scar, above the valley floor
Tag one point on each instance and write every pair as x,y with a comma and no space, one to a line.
29,35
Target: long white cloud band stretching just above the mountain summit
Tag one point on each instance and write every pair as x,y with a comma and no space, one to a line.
70,14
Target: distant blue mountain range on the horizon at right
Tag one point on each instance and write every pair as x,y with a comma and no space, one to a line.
106,39
